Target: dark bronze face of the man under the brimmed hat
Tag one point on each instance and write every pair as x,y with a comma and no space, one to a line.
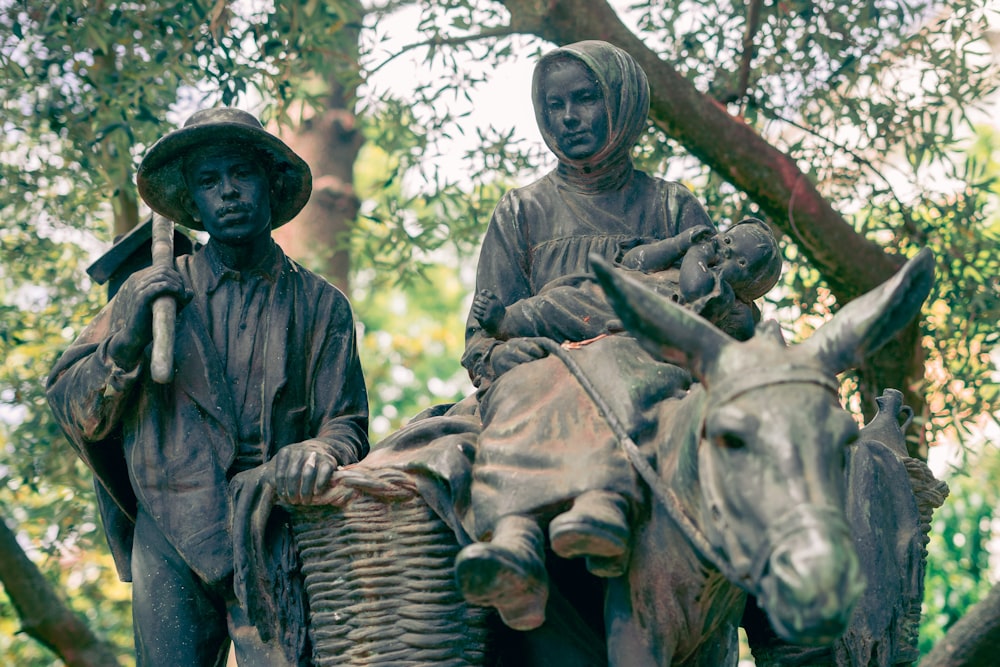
230,192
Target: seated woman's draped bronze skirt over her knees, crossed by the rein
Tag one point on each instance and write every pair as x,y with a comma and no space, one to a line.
544,441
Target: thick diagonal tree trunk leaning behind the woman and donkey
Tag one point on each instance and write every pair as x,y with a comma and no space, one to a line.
849,263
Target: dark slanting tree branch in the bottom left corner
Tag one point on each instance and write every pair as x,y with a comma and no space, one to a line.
43,615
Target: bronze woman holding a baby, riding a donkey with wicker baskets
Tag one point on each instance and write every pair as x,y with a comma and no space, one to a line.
701,478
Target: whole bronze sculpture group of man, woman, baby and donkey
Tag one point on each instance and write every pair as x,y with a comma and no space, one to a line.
643,468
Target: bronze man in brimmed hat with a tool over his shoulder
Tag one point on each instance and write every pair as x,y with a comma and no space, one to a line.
266,367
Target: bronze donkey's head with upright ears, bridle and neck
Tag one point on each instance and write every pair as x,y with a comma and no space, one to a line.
750,474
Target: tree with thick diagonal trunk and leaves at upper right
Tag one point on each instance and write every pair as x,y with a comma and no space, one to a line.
726,75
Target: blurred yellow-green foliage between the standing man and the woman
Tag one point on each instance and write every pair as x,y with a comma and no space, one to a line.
409,288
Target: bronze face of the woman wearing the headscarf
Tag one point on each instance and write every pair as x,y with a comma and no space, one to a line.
575,112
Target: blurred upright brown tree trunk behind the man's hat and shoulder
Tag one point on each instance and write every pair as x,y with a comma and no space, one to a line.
329,142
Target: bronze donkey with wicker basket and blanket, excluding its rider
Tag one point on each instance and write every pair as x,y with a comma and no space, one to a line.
745,475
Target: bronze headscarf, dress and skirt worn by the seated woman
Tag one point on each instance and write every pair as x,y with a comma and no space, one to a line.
543,441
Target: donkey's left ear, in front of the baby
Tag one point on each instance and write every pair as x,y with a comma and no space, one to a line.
665,329
